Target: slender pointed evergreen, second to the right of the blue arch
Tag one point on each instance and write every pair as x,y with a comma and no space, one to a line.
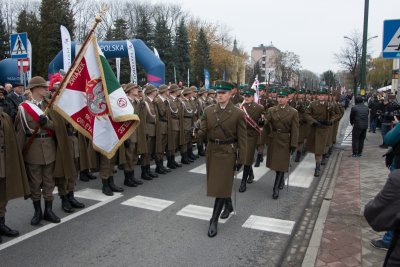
181,52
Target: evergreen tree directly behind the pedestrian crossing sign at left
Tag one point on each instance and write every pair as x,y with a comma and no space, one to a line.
28,22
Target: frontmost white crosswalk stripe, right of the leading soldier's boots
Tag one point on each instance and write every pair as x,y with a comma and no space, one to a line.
269,224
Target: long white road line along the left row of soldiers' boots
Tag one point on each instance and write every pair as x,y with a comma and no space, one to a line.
63,220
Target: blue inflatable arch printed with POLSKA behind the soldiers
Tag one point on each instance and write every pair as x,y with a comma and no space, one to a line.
153,66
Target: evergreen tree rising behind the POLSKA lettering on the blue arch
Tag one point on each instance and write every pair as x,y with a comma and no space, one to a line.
117,33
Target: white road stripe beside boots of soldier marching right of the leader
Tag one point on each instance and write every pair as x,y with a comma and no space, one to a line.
302,176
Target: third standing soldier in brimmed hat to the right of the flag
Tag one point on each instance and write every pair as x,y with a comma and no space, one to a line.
162,127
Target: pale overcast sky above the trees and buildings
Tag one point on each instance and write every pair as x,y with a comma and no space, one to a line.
313,29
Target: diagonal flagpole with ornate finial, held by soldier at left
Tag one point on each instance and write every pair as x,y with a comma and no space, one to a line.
97,20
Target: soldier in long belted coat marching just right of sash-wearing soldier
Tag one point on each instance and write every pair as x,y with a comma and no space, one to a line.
283,122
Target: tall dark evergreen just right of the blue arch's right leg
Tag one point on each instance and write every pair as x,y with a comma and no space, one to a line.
163,44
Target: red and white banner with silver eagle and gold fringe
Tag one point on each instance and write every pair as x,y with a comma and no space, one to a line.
93,101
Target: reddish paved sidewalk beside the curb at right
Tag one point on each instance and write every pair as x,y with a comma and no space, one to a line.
346,235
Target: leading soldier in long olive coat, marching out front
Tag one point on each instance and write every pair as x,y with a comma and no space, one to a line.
225,128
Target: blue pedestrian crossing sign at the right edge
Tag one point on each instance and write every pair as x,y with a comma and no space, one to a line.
391,39
